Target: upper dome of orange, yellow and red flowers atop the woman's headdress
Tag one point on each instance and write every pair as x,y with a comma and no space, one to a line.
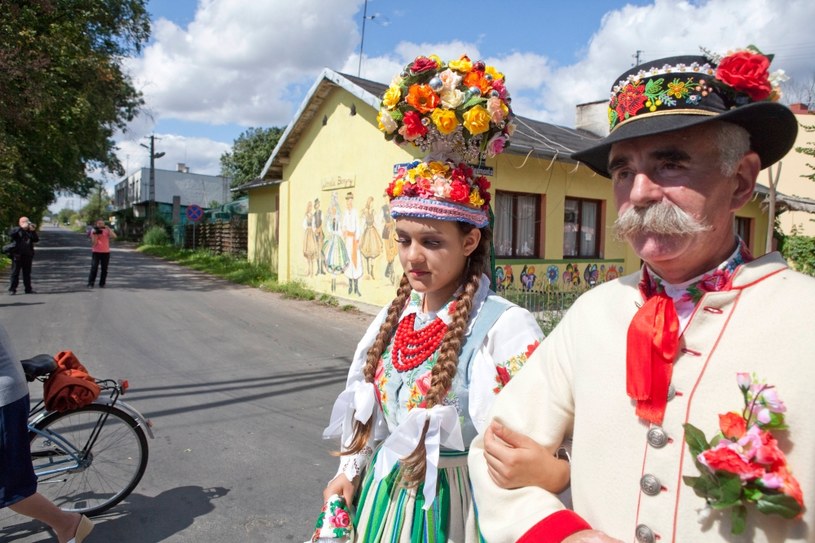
461,107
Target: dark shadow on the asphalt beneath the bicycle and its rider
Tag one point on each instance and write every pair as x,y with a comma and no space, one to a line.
139,519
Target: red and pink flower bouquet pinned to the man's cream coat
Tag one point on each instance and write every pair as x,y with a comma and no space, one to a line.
743,464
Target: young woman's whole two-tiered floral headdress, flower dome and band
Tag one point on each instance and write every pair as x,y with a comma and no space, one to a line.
457,113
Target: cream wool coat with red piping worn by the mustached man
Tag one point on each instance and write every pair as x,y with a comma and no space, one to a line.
574,383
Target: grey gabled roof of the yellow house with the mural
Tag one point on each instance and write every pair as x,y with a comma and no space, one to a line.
531,137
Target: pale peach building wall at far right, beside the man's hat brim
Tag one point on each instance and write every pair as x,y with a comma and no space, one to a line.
793,166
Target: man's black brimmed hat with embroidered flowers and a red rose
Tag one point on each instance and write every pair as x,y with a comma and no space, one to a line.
679,92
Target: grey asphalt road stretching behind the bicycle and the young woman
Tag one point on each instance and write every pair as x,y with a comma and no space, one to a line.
238,383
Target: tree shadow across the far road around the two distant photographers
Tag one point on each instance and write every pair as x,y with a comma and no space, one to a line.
63,259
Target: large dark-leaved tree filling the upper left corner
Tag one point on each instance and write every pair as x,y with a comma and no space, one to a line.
63,94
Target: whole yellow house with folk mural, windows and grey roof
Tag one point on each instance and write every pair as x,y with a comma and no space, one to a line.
321,195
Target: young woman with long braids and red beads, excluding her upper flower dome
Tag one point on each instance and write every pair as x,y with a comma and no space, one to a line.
425,373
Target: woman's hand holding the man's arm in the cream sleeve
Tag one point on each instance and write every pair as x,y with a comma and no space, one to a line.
515,460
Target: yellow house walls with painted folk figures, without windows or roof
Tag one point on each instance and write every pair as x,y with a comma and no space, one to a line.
348,155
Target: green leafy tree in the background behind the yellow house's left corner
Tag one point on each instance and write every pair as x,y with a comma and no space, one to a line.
249,154
